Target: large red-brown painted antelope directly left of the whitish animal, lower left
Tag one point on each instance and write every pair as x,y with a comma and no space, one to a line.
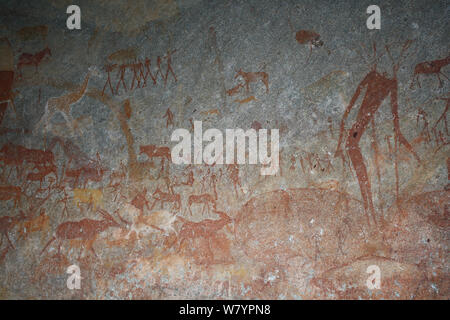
85,230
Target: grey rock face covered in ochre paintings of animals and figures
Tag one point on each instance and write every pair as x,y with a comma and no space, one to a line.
88,177
